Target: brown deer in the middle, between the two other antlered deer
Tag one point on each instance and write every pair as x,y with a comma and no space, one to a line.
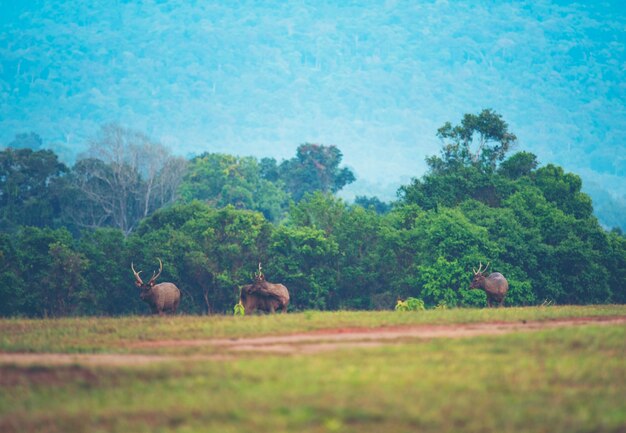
264,296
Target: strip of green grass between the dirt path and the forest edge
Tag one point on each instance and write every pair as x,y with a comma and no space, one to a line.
109,334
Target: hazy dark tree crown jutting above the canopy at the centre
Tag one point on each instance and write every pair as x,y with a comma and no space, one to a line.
314,168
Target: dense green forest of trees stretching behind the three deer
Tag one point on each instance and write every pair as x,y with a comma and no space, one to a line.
68,235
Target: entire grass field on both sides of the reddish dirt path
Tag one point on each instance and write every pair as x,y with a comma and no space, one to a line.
568,379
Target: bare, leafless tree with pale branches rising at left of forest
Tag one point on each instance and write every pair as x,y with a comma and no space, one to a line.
122,178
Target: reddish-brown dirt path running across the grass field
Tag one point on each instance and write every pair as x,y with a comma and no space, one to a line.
301,343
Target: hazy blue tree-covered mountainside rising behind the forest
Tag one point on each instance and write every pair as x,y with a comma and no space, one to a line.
375,78
